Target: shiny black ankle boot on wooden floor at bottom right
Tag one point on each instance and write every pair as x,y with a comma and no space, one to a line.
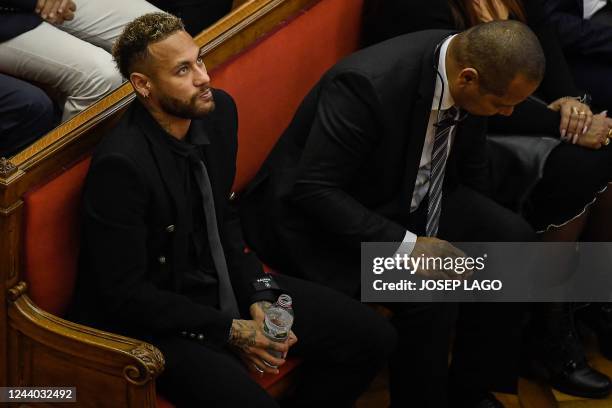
561,361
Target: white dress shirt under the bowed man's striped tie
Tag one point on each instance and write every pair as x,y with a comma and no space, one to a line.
442,101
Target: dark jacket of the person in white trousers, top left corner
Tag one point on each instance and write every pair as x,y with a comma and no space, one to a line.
17,17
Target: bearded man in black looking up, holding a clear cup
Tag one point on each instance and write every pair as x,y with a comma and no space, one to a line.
163,256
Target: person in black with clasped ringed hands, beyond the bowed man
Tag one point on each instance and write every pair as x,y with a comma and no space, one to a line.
571,201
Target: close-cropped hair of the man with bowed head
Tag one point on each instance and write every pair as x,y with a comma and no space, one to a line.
499,51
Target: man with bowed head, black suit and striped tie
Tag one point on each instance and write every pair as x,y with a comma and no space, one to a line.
363,161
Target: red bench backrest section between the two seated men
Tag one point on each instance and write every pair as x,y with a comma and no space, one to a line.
269,80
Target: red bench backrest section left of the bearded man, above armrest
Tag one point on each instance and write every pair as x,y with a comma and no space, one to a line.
51,238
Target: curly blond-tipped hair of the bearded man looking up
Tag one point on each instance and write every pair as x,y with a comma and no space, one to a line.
132,45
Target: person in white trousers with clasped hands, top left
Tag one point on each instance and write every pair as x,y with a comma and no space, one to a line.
65,44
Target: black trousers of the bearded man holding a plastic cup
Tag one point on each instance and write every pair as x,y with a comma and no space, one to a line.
344,344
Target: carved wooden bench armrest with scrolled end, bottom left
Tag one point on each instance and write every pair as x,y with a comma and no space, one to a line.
108,370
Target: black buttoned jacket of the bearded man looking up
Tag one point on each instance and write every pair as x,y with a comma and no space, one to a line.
132,261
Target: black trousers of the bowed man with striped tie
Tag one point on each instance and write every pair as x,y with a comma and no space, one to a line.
487,336
